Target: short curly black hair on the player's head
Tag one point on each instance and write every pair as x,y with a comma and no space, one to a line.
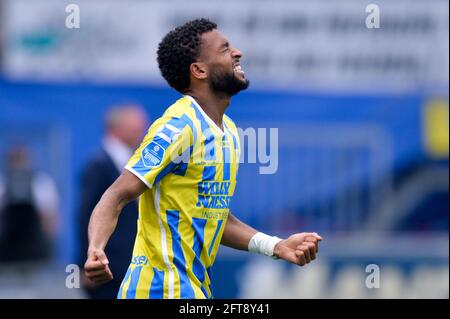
179,49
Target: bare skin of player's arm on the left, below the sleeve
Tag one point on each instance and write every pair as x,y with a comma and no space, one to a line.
104,220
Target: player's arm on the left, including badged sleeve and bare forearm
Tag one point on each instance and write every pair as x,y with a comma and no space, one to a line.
165,146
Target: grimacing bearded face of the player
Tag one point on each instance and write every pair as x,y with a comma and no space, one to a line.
225,73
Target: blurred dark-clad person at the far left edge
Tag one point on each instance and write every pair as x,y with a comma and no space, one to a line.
28,206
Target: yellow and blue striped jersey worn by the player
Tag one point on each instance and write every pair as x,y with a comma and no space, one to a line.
190,166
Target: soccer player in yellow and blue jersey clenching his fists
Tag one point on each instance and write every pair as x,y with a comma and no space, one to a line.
185,174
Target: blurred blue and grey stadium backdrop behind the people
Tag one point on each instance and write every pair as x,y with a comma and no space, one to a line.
362,114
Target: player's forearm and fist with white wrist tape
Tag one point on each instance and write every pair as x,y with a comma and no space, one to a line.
300,248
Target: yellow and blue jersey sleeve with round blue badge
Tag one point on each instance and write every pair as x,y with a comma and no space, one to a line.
167,145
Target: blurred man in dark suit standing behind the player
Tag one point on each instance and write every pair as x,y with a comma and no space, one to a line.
125,127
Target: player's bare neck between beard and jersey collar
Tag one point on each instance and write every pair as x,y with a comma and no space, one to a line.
212,103
